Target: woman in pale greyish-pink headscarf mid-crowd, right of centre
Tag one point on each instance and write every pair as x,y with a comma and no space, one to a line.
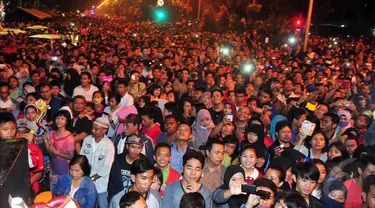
202,128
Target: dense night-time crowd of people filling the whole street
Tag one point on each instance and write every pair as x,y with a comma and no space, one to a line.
158,115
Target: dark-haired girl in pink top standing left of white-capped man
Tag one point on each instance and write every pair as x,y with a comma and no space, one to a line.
60,146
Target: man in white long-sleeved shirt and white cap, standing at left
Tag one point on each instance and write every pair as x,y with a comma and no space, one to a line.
99,150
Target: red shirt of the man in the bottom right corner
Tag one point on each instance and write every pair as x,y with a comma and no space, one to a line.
354,199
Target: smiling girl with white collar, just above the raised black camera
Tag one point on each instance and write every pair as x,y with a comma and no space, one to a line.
248,160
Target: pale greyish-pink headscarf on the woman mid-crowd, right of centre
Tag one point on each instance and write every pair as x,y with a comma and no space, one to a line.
201,135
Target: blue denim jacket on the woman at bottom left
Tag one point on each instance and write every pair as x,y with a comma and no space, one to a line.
86,194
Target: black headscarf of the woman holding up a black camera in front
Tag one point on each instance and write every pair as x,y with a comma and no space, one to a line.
238,200
